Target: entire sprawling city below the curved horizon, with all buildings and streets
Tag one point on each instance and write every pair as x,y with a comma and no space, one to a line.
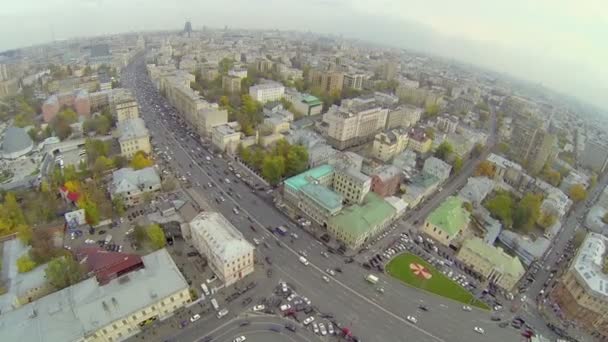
222,184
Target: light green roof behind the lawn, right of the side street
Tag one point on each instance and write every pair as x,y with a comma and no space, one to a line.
450,216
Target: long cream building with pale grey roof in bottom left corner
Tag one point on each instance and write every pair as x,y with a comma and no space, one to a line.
89,311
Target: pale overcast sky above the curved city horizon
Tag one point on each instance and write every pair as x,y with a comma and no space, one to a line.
558,43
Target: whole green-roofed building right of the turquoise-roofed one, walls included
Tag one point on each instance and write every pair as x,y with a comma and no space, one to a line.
355,225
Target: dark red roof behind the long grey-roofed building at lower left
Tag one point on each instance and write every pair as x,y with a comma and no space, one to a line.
107,265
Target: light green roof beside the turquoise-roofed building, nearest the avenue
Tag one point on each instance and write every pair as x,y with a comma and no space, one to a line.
359,219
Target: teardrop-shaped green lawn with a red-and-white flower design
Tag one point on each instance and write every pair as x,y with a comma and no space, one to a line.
401,268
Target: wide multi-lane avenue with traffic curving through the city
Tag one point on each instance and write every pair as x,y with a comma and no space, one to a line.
354,302
